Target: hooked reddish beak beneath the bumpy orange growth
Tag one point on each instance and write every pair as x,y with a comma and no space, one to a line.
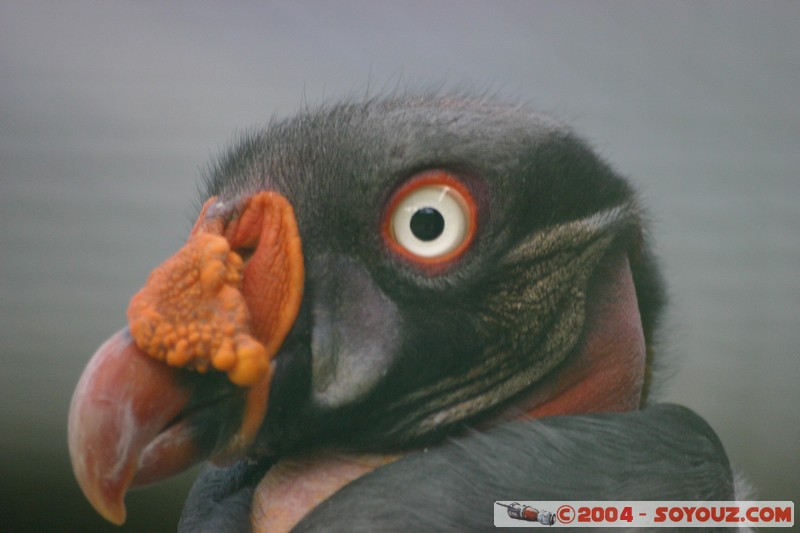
134,421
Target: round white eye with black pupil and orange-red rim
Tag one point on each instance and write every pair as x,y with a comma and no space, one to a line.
431,219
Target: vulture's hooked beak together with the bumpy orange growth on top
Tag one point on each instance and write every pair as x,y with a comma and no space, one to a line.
137,416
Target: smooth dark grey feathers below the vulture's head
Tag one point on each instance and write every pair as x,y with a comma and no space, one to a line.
665,452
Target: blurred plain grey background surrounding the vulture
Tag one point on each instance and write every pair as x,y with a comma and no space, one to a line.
109,109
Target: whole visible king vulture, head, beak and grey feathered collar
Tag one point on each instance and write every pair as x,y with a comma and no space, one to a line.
393,313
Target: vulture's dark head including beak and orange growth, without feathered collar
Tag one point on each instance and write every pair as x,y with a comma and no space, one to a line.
295,320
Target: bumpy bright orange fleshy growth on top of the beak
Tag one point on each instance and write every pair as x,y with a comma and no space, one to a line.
194,311
